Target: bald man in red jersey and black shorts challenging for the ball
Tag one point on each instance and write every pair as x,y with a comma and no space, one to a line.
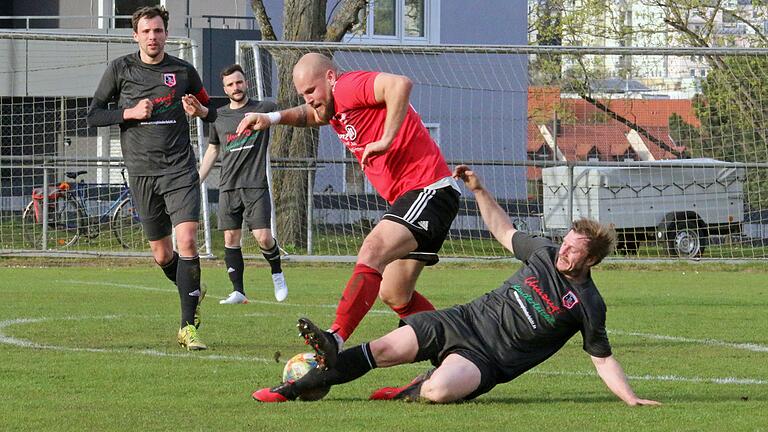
371,113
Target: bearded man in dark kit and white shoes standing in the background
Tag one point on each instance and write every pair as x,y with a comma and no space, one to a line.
243,188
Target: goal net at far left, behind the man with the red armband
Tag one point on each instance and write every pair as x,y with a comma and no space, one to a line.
63,187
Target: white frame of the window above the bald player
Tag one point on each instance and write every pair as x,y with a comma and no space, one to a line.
431,27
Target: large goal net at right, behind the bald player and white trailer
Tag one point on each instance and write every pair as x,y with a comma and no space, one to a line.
666,145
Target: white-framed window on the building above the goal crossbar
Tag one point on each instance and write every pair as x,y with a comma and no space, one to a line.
404,21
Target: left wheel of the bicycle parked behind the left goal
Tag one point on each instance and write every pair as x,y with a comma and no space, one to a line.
64,217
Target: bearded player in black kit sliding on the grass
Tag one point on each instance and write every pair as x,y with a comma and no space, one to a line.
501,335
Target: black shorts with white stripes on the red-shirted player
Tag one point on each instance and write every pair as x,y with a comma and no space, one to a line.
428,214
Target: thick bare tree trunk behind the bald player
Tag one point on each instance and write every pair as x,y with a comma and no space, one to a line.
303,20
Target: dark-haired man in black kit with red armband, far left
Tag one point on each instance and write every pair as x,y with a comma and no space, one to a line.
154,92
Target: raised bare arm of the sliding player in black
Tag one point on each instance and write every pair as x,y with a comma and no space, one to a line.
495,218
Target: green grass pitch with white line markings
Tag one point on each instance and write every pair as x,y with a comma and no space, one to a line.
91,346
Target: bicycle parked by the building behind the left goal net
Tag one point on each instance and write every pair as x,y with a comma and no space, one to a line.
68,218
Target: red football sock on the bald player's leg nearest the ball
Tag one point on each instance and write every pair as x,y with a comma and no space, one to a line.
357,299
